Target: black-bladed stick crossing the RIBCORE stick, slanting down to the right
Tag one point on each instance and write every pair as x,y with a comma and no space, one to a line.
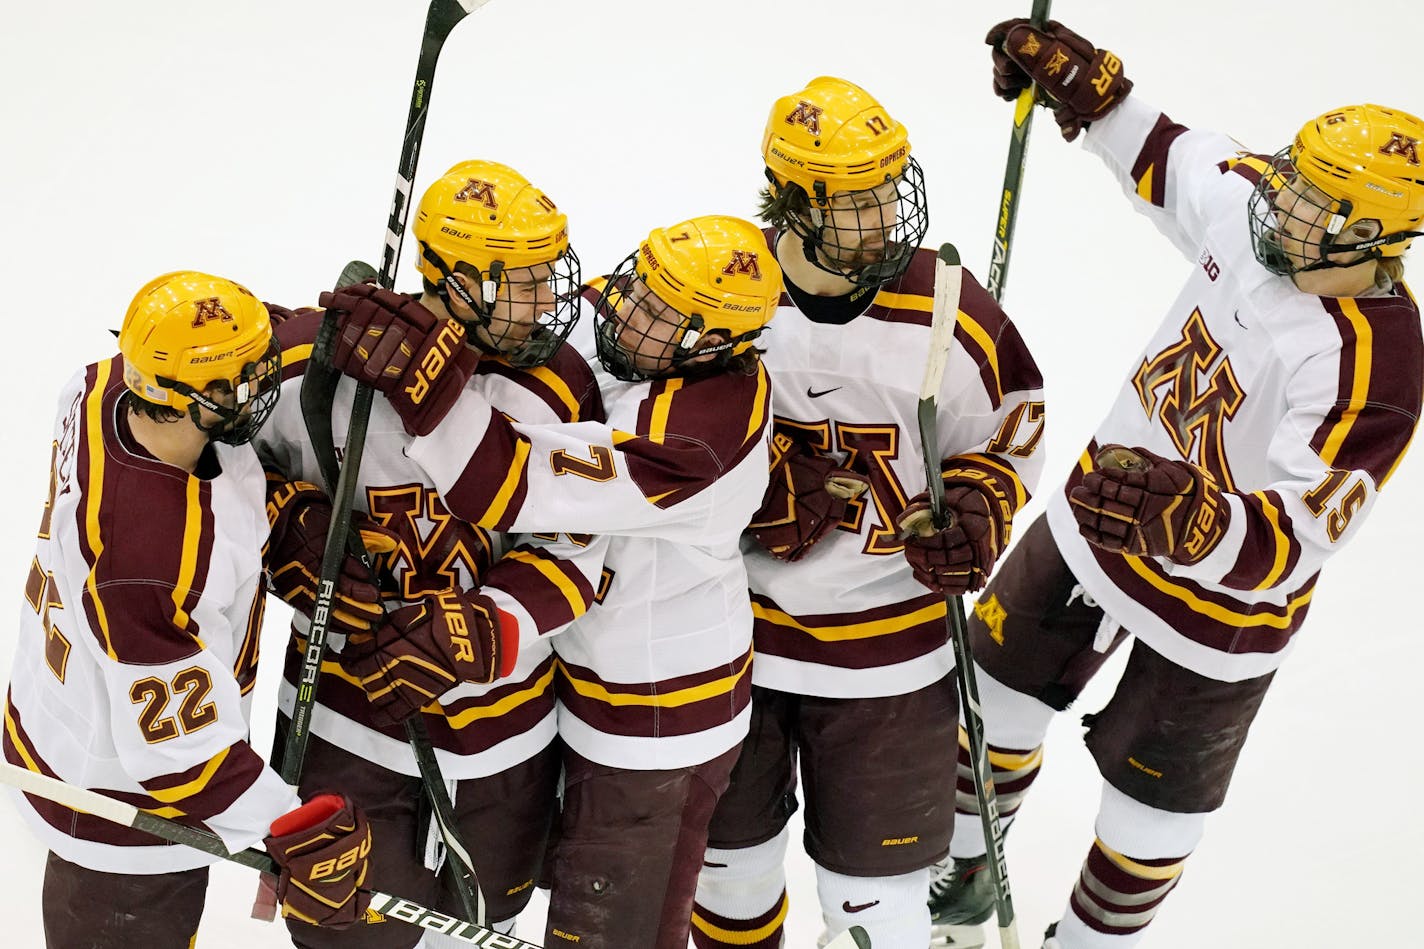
318,393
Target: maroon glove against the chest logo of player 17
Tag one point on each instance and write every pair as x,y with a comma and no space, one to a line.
805,499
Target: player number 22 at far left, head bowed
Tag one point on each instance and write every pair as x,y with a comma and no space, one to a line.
139,638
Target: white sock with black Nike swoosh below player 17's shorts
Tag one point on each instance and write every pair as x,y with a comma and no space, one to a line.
891,910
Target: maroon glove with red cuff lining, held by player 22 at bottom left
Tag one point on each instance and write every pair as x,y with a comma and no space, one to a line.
323,850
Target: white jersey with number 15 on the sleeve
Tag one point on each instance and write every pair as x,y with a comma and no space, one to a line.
1299,405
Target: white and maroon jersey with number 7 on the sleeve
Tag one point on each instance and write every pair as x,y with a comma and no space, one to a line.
656,676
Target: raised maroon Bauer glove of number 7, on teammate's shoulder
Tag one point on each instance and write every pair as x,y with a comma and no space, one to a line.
394,344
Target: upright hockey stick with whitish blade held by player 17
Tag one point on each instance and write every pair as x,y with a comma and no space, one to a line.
949,279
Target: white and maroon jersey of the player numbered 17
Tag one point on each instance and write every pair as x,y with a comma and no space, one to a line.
849,621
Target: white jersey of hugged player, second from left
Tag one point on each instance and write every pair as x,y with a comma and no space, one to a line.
476,729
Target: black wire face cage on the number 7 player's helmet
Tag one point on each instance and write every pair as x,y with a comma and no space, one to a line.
622,361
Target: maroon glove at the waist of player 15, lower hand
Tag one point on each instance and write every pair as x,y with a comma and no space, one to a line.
1144,505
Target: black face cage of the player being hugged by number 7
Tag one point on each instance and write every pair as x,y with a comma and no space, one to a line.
552,330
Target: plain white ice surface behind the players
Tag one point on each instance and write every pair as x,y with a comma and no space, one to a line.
258,140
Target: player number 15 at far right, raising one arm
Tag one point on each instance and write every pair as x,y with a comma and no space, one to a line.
1248,444
